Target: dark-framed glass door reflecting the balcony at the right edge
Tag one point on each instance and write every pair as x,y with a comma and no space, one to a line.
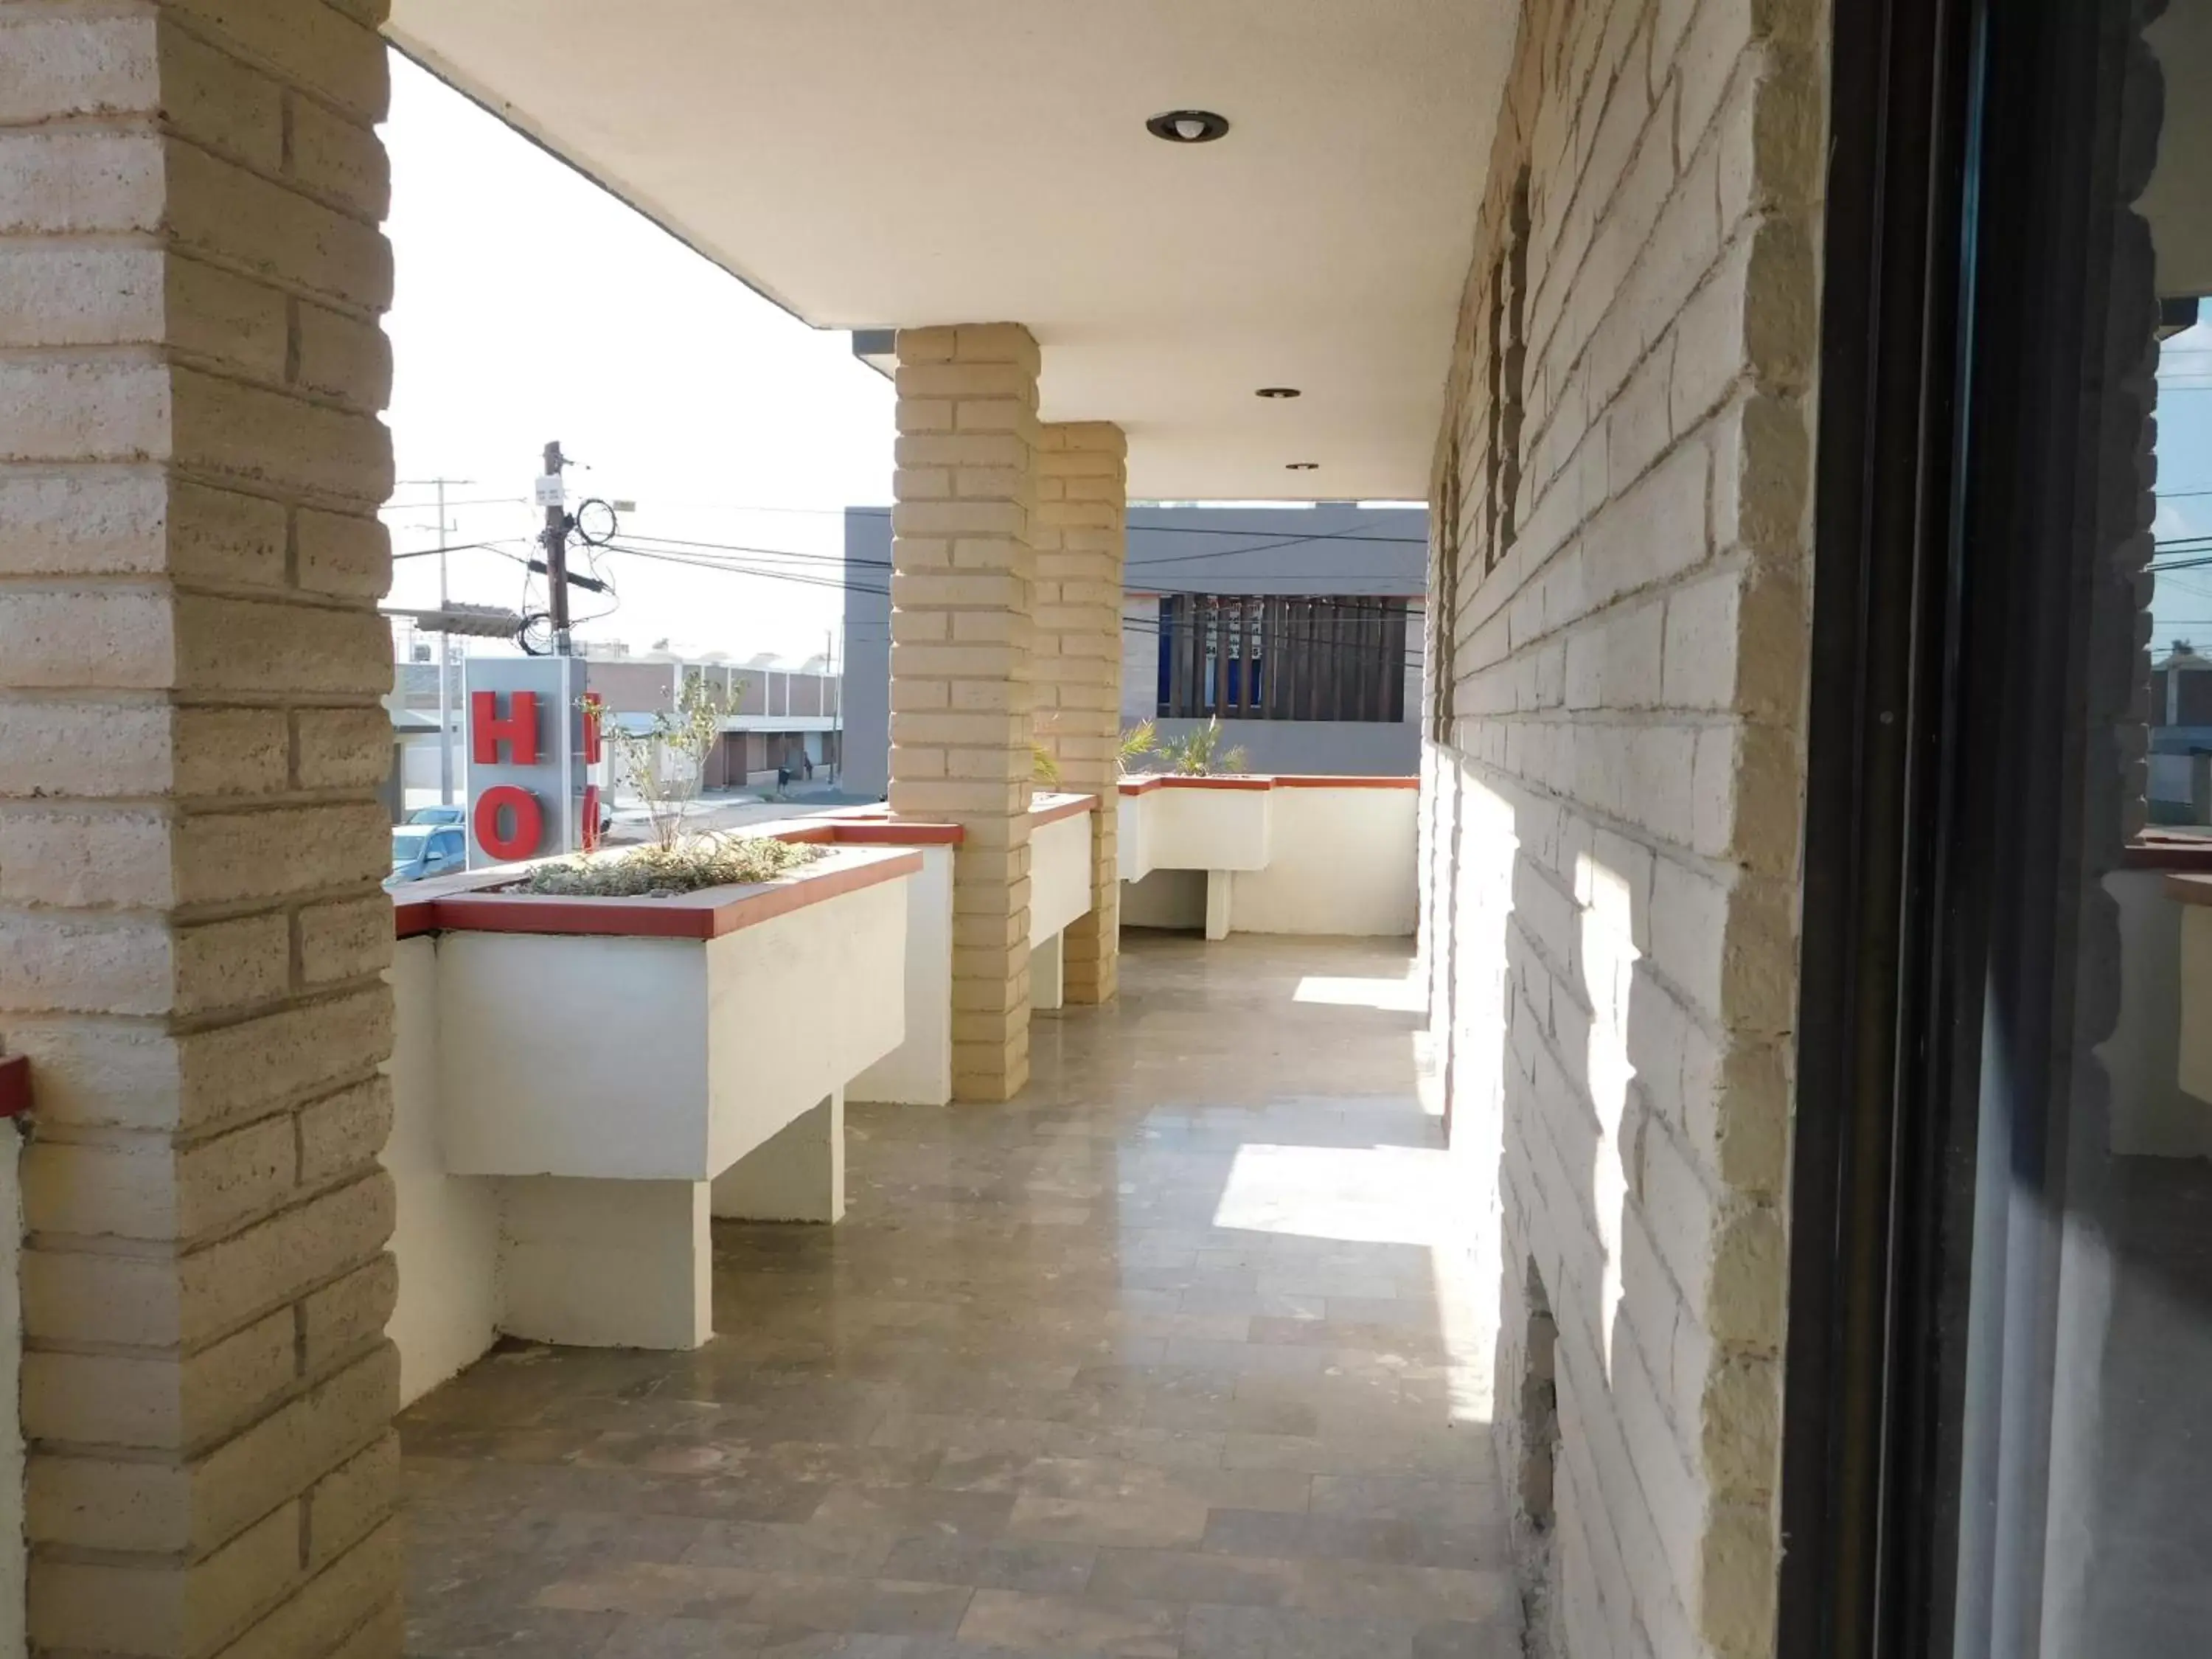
2001,1397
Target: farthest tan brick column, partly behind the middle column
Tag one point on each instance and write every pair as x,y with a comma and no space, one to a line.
1083,534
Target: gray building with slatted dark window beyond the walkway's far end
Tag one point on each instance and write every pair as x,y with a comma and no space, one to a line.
1331,596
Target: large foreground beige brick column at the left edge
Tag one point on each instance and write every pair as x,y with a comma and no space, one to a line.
191,742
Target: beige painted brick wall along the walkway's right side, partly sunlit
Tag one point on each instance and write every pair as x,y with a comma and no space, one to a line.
1616,773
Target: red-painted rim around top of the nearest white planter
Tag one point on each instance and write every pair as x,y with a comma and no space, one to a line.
691,917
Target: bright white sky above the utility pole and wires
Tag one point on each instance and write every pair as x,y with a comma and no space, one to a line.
536,306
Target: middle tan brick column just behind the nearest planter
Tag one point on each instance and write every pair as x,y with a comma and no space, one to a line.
961,643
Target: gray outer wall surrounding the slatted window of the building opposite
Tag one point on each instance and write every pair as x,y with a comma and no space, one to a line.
1180,550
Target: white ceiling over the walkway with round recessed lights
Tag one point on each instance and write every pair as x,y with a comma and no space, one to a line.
904,163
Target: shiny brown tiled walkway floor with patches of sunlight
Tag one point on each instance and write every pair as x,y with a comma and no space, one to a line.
1154,1364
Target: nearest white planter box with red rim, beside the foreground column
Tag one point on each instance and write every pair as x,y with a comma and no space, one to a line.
583,1083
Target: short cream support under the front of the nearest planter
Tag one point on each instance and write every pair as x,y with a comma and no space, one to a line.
607,1264
